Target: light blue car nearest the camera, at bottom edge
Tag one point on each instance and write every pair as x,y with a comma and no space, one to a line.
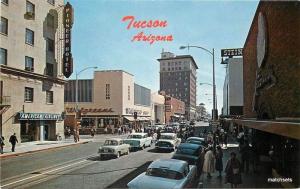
165,174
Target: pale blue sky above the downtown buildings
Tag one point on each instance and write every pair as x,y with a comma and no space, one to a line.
100,38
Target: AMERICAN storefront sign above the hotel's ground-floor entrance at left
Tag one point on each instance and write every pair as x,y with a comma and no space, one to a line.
39,116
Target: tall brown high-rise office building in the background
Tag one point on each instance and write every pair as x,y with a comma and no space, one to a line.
178,79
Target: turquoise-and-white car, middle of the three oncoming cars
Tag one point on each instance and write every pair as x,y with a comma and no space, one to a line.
138,140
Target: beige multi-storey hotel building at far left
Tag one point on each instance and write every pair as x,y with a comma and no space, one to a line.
32,84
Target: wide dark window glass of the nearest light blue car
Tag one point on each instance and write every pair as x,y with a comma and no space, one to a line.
165,173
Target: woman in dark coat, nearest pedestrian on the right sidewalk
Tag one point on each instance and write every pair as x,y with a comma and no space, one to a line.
233,173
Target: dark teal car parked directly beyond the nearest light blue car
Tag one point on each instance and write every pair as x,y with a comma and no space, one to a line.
190,153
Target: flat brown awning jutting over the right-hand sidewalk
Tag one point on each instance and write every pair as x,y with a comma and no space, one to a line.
287,129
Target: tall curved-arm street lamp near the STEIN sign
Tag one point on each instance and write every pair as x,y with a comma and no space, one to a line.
215,110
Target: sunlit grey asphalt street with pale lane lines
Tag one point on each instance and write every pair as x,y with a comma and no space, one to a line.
77,167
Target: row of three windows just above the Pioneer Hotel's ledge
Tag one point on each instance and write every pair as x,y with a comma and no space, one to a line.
28,62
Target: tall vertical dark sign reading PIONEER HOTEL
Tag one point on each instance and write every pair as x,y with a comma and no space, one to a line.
67,56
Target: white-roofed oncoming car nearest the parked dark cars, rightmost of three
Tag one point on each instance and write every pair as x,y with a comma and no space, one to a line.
168,141
